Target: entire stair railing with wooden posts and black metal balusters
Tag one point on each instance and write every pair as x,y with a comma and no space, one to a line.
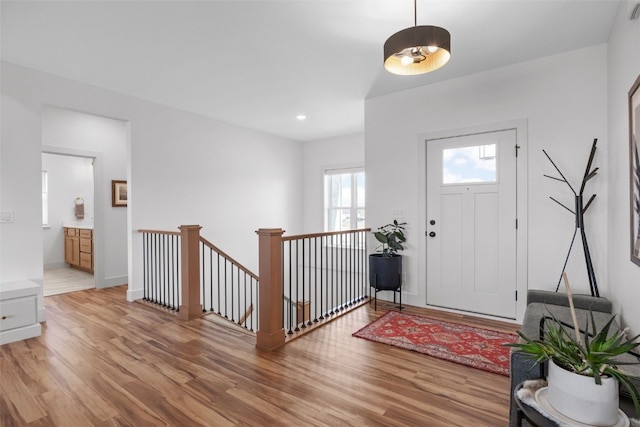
304,281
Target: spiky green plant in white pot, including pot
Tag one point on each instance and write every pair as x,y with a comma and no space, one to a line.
582,367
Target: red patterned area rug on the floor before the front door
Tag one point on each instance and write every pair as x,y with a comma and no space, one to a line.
466,345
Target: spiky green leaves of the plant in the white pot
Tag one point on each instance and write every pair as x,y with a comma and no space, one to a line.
595,357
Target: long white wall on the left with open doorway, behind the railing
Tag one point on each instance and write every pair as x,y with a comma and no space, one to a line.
182,169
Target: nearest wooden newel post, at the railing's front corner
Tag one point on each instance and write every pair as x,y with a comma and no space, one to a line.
271,332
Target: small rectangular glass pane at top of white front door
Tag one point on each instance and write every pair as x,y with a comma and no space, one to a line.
469,164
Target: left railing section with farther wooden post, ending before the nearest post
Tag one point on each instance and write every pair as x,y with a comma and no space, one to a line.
185,273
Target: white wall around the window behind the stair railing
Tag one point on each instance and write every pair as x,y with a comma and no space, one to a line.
318,156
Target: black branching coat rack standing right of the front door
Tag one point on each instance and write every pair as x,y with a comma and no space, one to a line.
580,209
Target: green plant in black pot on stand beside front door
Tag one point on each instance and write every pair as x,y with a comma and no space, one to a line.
385,266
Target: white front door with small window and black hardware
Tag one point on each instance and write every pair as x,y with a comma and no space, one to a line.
471,223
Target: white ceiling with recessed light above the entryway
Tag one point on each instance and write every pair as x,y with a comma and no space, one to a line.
259,63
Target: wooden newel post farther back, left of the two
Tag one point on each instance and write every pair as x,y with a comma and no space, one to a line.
190,306
